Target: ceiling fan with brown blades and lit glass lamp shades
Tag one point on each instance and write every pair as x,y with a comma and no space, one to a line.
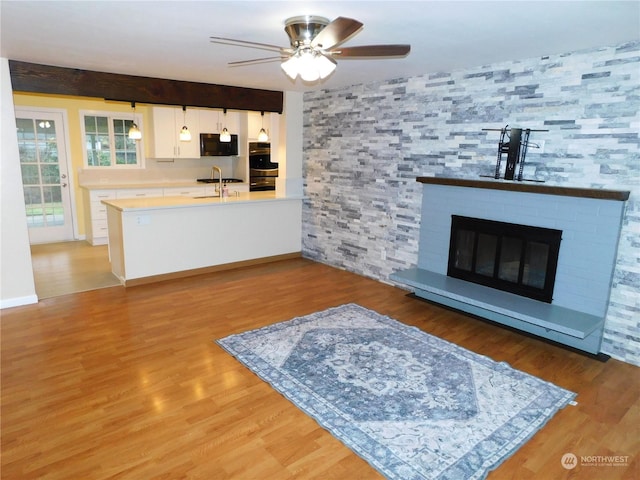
315,45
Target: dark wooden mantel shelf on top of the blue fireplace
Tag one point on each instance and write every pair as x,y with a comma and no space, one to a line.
512,186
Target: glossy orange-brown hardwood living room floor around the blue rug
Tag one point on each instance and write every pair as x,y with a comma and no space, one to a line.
129,384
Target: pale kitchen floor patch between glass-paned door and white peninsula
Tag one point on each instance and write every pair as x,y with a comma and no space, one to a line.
70,267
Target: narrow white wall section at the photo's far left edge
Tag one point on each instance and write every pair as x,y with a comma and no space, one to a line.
17,286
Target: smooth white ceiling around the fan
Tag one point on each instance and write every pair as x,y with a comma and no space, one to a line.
170,39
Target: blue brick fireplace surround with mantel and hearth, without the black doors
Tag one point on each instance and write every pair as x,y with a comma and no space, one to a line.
590,220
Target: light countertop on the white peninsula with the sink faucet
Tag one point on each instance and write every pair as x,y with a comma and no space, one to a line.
163,203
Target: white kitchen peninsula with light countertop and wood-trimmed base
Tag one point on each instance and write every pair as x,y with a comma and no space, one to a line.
153,239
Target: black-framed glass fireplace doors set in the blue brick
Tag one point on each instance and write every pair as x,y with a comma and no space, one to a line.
520,259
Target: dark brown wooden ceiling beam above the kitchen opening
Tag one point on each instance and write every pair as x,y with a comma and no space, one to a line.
35,78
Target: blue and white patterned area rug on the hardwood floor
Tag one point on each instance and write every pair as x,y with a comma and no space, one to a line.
411,404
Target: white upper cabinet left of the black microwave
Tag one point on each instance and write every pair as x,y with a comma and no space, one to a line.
166,123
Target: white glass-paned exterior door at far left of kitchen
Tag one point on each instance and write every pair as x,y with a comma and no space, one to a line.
45,175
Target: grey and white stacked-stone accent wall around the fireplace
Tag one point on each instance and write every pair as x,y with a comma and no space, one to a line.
365,145
